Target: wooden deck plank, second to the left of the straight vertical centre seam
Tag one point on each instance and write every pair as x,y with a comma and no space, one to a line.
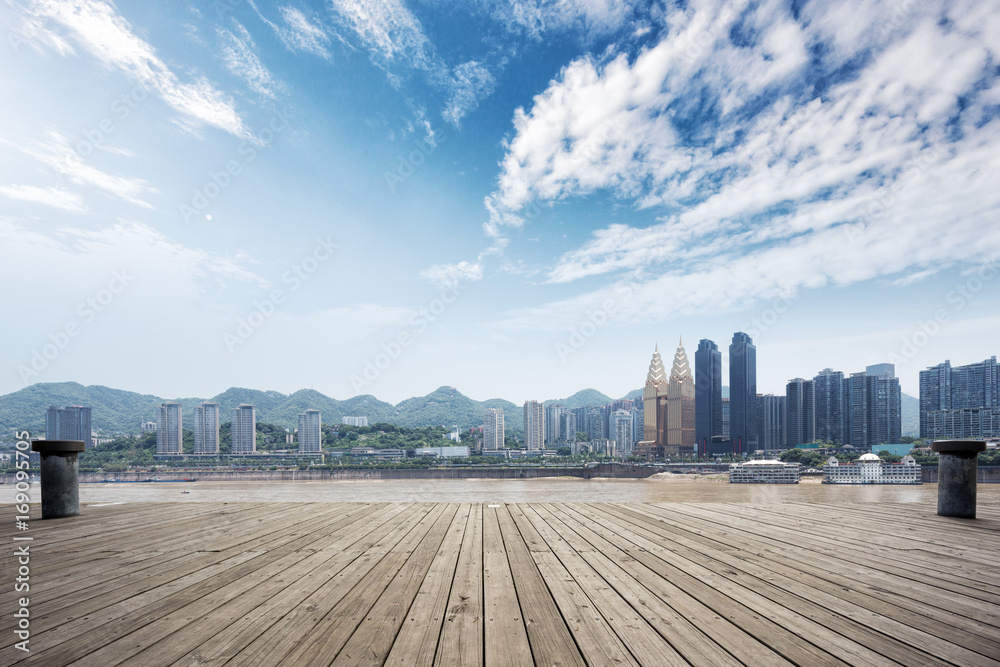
417,640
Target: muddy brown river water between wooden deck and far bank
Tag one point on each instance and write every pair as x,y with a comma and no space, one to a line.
670,488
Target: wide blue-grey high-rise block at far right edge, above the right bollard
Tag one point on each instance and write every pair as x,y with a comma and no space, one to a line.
954,400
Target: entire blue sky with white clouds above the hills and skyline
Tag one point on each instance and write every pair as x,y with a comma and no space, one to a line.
518,199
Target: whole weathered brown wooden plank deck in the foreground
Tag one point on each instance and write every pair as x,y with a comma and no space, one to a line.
518,584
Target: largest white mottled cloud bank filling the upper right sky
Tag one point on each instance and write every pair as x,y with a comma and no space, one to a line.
773,145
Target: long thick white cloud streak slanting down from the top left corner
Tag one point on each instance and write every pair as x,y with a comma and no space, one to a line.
99,29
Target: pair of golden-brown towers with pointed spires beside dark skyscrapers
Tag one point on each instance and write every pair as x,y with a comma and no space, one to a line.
668,408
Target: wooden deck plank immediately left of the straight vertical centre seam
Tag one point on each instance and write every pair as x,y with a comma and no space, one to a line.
461,643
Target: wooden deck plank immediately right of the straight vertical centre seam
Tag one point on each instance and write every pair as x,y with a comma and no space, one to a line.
506,639
